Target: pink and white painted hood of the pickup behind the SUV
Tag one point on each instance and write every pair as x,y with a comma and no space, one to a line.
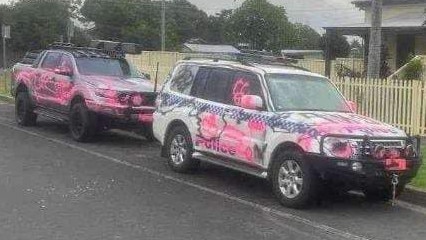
119,83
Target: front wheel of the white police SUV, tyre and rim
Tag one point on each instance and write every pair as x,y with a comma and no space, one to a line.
294,182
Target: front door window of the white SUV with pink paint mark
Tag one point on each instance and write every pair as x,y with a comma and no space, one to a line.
244,83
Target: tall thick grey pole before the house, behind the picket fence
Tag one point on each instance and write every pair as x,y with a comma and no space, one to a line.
375,40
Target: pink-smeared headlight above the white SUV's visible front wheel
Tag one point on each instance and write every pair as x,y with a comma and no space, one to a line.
339,147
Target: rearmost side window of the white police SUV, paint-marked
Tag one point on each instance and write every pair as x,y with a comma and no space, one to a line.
183,79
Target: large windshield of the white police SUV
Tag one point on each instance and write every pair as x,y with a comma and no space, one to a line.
291,92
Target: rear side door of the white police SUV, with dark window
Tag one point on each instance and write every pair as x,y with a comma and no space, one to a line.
211,110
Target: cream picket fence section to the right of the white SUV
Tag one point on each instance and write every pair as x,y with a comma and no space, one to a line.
397,102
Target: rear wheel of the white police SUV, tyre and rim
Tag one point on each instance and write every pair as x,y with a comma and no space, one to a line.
179,150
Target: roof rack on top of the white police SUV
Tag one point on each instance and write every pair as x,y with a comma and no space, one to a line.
250,59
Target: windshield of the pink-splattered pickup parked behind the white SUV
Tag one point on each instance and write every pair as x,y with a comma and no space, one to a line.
105,67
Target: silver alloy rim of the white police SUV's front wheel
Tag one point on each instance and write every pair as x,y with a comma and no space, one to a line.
290,179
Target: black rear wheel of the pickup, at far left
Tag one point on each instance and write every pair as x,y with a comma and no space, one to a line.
24,114
